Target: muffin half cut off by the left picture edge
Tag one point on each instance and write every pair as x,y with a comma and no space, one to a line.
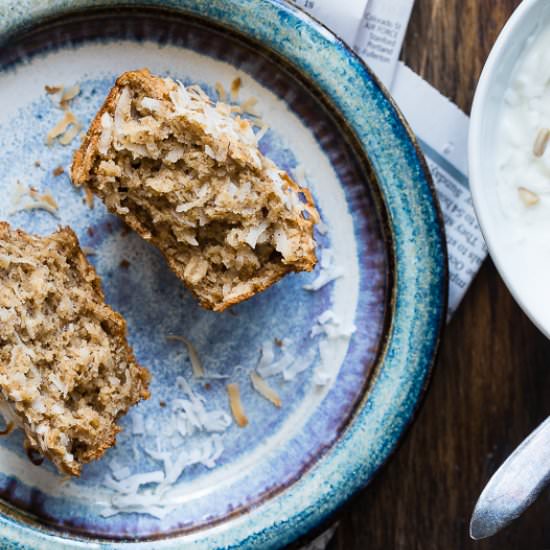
67,372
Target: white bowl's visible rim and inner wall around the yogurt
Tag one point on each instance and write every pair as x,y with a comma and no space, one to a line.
523,270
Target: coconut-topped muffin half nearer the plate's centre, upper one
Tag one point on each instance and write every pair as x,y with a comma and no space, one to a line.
187,175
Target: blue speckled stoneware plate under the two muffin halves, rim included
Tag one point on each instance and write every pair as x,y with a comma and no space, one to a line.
356,353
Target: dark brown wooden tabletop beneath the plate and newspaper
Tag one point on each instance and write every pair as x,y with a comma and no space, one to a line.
491,385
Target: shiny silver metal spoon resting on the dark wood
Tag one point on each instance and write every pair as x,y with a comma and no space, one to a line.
515,485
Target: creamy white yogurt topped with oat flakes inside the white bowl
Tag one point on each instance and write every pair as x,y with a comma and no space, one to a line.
524,229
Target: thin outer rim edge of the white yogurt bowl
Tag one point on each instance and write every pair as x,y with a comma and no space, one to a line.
476,159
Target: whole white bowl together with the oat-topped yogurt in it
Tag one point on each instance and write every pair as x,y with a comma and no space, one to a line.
509,154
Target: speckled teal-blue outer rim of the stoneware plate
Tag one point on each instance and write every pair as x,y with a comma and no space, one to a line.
419,300
